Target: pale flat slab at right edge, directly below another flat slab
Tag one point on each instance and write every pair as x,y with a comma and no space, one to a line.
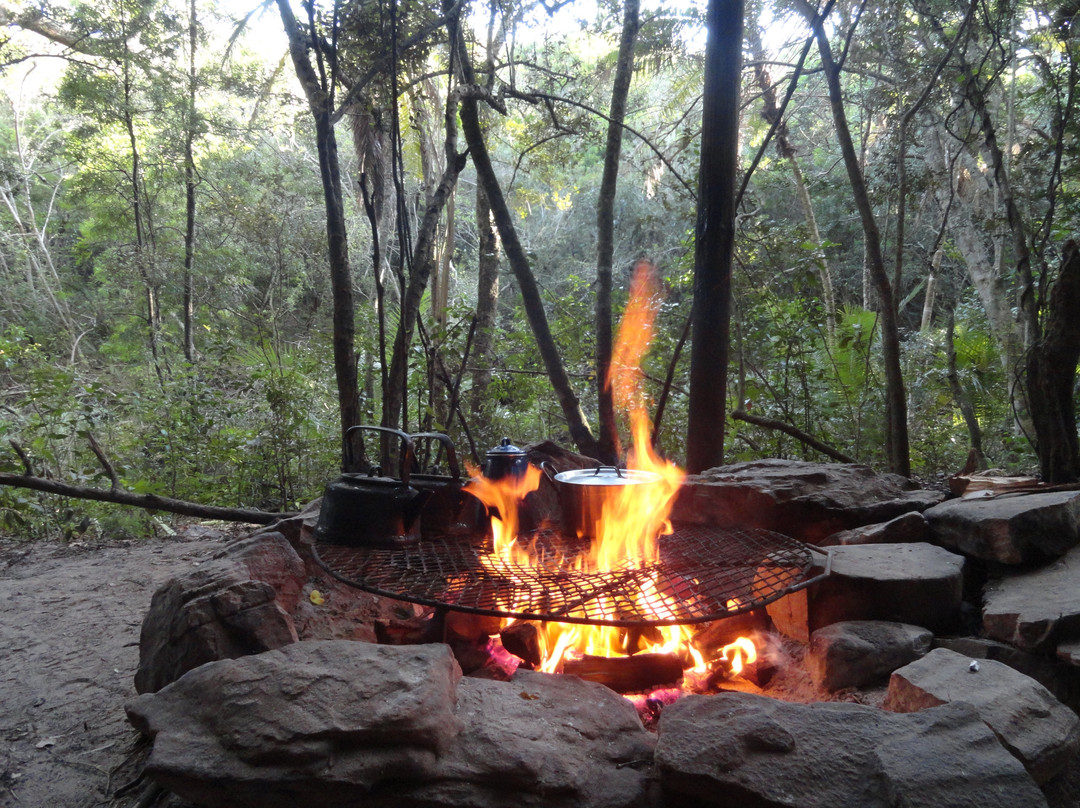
1037,609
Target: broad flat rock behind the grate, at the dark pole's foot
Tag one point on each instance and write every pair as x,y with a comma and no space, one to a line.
805,501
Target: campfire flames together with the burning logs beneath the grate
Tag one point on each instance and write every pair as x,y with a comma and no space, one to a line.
622,515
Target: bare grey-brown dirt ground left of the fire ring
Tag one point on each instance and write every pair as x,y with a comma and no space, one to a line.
70,625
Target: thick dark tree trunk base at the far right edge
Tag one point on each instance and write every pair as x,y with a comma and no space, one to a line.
1051,374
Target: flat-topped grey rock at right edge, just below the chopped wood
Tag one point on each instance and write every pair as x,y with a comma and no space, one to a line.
1010,530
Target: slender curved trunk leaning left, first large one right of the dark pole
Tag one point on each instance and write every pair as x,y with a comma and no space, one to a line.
897,442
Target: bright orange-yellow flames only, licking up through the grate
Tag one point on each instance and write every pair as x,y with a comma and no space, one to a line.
632,520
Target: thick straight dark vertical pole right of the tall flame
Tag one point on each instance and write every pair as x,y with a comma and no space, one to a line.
715,235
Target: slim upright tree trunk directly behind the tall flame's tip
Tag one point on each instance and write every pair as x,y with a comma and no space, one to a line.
609,440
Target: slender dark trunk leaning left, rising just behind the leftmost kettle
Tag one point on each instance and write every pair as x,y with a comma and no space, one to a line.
321,104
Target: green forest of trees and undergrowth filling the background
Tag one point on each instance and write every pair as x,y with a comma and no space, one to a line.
231,232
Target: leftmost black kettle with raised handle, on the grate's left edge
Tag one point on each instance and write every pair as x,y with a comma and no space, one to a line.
372,510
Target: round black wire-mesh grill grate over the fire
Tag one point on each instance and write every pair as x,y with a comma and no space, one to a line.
704,574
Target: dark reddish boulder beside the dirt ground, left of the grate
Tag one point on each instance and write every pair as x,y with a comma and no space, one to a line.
235,605
